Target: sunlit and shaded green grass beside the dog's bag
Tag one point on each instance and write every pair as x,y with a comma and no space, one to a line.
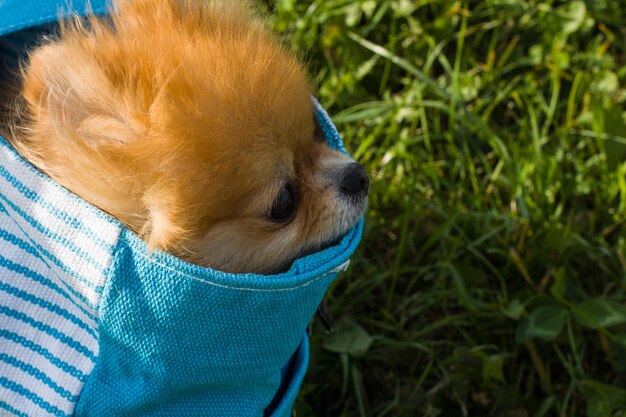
491,280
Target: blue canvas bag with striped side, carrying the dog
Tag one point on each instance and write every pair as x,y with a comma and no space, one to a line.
91,325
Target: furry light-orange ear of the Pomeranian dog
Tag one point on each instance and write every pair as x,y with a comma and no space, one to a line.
68,92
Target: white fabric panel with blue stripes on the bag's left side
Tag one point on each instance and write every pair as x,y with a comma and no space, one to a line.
54,251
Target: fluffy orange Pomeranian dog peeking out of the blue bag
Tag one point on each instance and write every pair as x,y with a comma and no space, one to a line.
193,126
